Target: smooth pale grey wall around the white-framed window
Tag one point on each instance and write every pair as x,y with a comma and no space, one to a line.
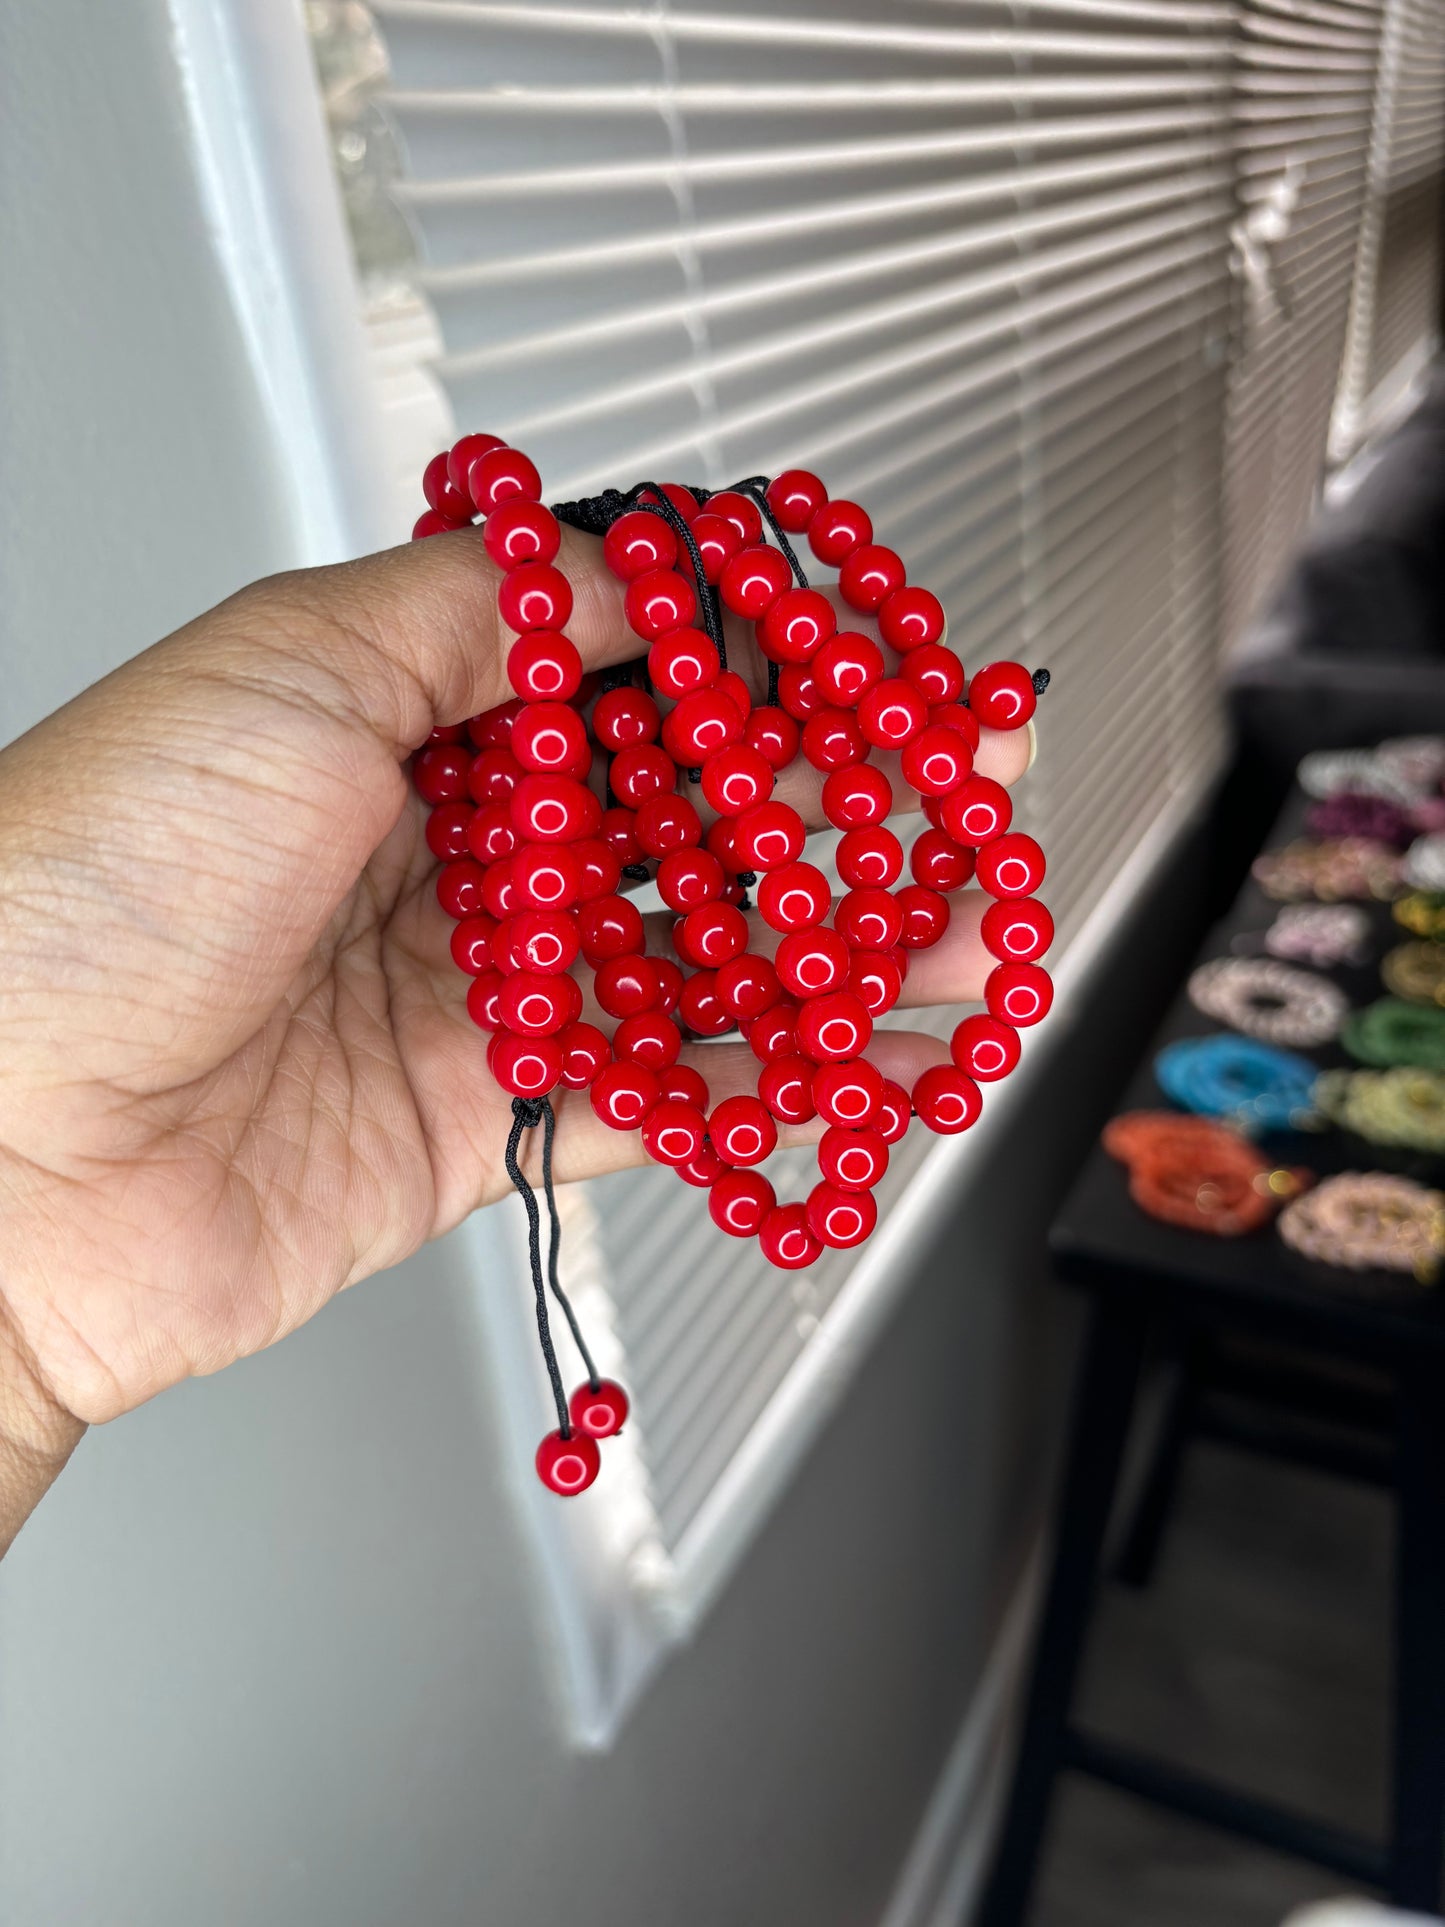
271,1652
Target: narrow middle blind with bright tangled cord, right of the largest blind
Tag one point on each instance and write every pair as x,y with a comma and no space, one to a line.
1305,99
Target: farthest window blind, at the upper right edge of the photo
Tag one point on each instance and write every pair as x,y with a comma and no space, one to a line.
1396,302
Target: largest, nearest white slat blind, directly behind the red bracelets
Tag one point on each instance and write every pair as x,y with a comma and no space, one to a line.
972,261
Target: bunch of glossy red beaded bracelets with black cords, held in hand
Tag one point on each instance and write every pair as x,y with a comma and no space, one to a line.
535,855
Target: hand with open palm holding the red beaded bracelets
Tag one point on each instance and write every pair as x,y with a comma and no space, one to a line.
236,1065
